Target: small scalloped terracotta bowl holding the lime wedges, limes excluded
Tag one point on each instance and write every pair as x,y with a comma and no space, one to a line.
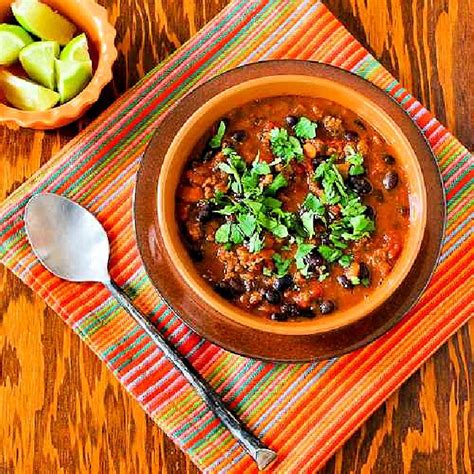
90,18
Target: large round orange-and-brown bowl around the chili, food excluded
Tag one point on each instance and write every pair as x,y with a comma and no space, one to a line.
157,230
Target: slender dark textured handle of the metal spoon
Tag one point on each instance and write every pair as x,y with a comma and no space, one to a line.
252,445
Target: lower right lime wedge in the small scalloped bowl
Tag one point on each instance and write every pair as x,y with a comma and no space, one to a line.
72,77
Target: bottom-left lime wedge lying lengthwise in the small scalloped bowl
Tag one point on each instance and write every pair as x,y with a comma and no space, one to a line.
26,95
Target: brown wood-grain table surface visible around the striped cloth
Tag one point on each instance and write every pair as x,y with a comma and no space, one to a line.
62,411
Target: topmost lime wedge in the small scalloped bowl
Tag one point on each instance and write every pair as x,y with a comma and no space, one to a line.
42,21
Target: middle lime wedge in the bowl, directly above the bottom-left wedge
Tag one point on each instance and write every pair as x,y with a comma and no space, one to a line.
37,60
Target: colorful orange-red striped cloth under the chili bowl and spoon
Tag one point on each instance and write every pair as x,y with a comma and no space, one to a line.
304,411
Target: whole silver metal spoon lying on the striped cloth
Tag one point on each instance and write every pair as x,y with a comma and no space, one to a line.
72,244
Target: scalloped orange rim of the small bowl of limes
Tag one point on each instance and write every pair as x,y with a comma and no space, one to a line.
66,113
